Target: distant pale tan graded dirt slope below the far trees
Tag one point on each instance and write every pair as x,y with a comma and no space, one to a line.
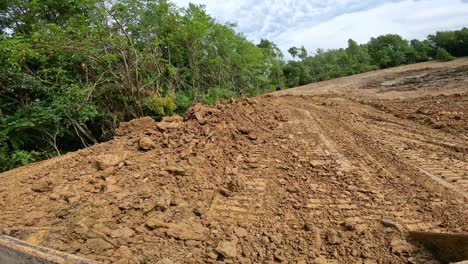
410,81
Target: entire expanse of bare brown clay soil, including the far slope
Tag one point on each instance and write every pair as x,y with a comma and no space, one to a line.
333,172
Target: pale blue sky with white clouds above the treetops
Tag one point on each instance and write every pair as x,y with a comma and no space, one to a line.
329,24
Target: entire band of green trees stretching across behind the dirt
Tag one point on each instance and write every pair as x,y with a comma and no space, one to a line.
71,70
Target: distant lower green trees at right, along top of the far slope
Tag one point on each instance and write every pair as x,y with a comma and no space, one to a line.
379,53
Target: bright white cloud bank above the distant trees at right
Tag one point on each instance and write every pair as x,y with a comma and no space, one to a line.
411,19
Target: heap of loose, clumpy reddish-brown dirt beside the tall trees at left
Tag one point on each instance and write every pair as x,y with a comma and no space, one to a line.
151,187
